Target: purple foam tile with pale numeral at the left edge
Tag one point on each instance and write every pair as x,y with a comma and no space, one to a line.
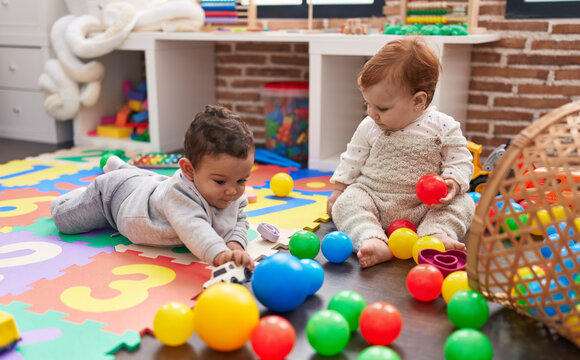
26,258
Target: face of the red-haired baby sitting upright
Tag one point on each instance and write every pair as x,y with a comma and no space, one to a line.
392,107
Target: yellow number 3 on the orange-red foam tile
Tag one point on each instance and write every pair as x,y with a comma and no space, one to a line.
133,292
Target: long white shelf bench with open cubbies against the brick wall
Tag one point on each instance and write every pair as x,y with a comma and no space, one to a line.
180,72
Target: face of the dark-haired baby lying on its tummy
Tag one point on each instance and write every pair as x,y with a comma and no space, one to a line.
221,179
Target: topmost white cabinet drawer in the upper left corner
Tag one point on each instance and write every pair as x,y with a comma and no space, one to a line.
20,13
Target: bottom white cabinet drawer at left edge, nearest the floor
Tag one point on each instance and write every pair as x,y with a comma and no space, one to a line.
22,116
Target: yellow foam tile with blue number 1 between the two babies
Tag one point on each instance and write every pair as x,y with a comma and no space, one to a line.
294,211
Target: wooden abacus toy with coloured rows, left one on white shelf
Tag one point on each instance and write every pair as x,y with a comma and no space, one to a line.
229,14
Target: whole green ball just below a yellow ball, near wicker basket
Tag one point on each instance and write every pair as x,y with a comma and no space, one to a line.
468,309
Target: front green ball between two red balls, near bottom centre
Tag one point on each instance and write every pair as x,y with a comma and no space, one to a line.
327,332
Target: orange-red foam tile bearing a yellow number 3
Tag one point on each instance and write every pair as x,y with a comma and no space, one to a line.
122,290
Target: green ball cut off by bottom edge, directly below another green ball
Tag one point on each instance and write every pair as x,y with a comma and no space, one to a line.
467,344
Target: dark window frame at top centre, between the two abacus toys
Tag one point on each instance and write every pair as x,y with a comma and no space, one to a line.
321,11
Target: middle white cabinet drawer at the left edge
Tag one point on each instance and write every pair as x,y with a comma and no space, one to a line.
20,67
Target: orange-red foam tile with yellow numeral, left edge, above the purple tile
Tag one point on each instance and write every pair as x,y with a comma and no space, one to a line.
20,207
